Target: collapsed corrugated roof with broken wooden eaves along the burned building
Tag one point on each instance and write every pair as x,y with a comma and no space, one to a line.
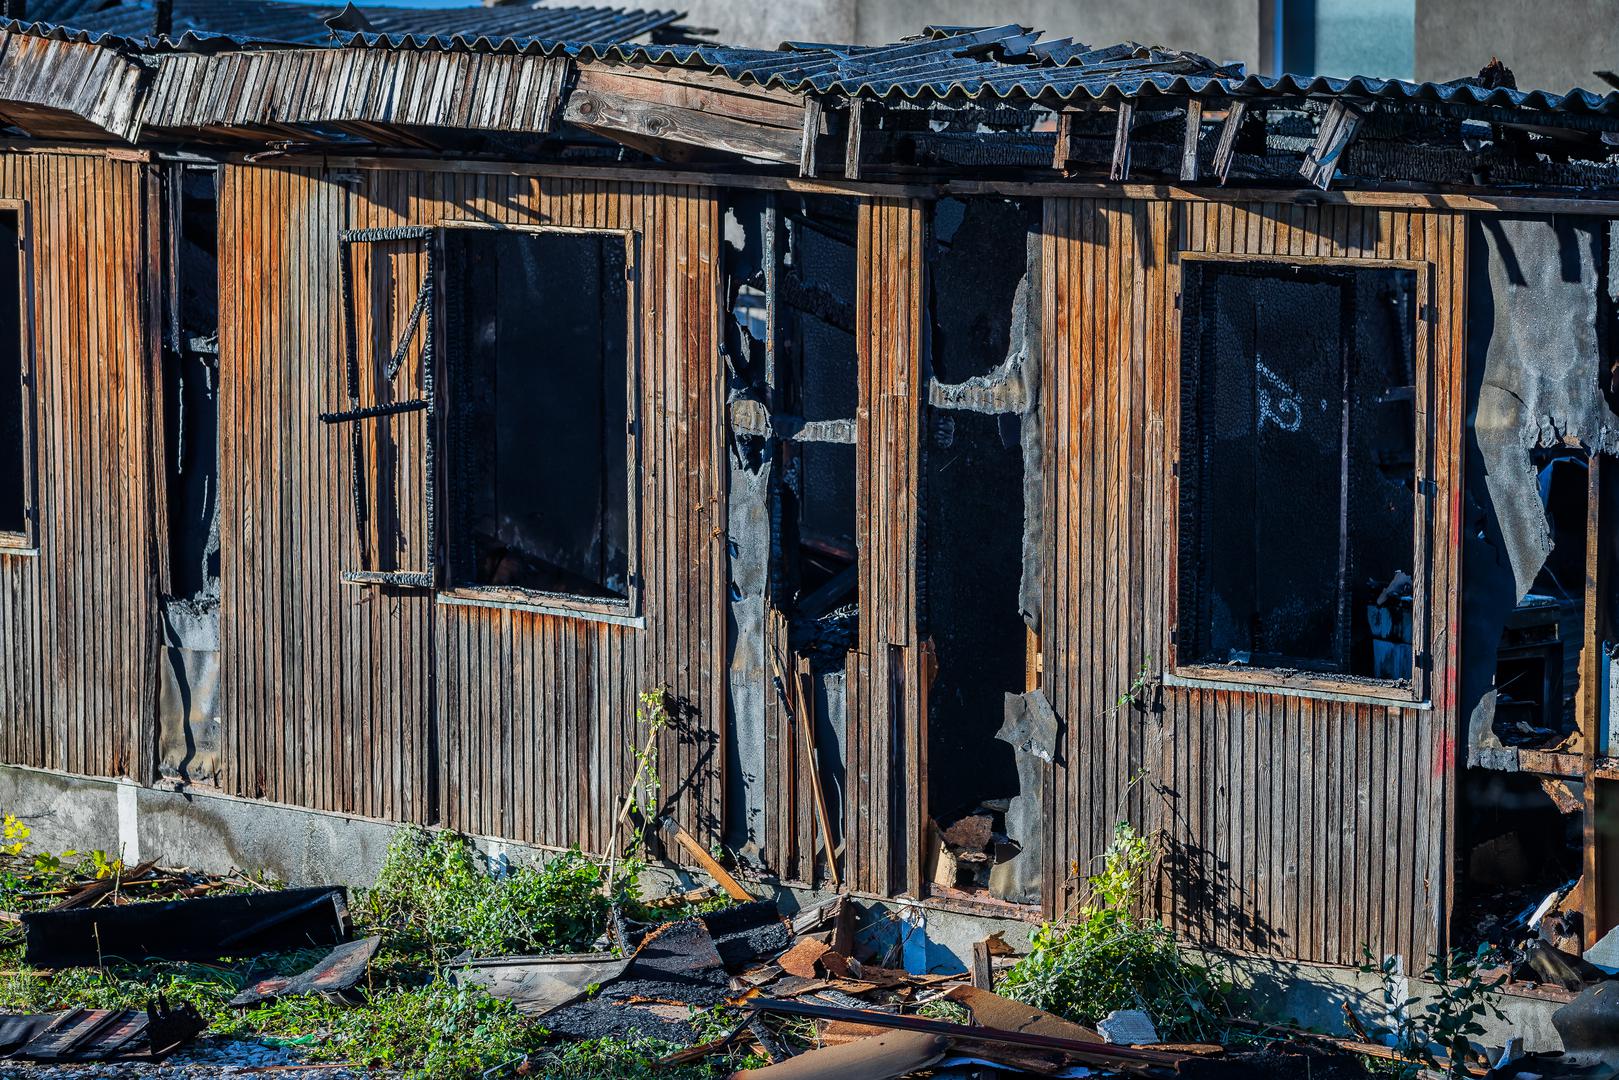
996,103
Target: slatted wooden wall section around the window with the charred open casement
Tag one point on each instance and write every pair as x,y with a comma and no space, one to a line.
401,705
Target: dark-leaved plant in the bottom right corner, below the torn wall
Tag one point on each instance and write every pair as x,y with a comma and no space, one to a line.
1448,1021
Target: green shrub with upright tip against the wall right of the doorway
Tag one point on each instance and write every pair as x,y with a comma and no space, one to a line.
1115,959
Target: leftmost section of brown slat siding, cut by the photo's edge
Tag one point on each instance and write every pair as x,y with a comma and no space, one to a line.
79,621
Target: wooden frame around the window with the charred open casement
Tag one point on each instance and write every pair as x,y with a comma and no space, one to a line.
564,605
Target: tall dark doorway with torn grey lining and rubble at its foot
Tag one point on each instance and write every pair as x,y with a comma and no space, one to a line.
982,417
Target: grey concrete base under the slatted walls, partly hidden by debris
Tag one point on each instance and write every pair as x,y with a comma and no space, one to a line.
219,833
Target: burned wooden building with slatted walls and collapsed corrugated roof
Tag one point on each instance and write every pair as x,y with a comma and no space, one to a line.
980,441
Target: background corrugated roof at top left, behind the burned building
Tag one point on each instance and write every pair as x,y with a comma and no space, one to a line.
307,23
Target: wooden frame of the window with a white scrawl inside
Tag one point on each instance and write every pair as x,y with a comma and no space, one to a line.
1298,682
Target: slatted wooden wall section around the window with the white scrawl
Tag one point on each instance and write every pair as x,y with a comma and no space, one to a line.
1299,828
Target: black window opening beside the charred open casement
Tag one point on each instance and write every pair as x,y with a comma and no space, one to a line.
537,422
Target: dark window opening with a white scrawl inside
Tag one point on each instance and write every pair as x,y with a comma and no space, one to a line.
1299,469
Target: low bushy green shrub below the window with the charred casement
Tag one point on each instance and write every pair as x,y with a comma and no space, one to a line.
438,893
